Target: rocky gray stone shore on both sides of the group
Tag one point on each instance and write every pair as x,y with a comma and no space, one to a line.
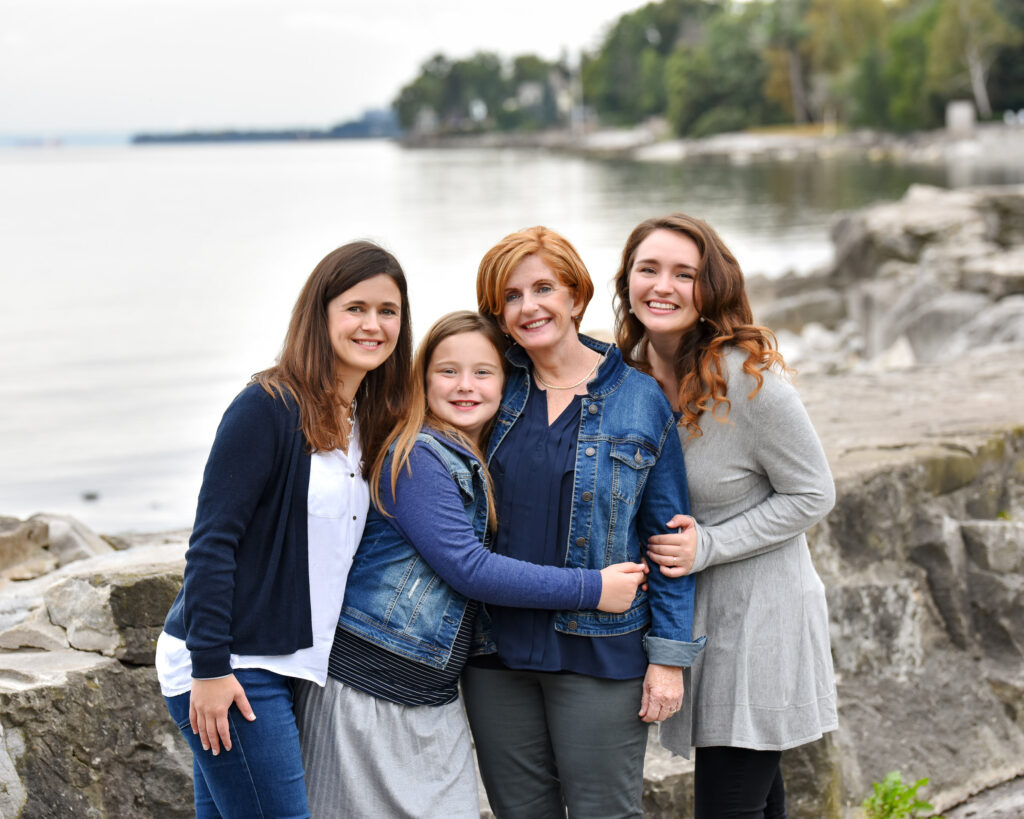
912,351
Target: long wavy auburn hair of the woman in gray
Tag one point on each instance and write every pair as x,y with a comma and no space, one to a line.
727,322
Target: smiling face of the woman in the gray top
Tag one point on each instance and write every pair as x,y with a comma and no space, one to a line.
662,283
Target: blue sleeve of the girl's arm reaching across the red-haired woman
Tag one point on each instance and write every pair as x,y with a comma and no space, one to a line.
431,514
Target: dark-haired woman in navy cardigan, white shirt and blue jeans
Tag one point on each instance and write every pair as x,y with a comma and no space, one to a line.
281,512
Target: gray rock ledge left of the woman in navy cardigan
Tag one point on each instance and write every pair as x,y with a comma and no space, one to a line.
84,731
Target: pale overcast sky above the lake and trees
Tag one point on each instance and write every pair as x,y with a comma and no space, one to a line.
152,65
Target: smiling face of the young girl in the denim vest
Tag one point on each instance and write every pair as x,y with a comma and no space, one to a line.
464,382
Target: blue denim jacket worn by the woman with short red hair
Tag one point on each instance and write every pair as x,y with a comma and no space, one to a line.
630,482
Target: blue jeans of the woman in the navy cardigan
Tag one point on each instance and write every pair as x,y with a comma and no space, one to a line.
262,775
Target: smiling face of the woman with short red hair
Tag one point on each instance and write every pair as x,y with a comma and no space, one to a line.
539,310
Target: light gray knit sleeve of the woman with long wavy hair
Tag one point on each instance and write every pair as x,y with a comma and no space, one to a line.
787,450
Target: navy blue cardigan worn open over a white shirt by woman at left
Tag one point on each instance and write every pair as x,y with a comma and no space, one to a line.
247,570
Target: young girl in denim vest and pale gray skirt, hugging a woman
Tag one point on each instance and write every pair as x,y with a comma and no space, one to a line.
388,737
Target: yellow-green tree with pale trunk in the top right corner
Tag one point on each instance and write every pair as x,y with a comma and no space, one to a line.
965,42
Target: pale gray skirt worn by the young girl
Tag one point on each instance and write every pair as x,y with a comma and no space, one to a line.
370,758
